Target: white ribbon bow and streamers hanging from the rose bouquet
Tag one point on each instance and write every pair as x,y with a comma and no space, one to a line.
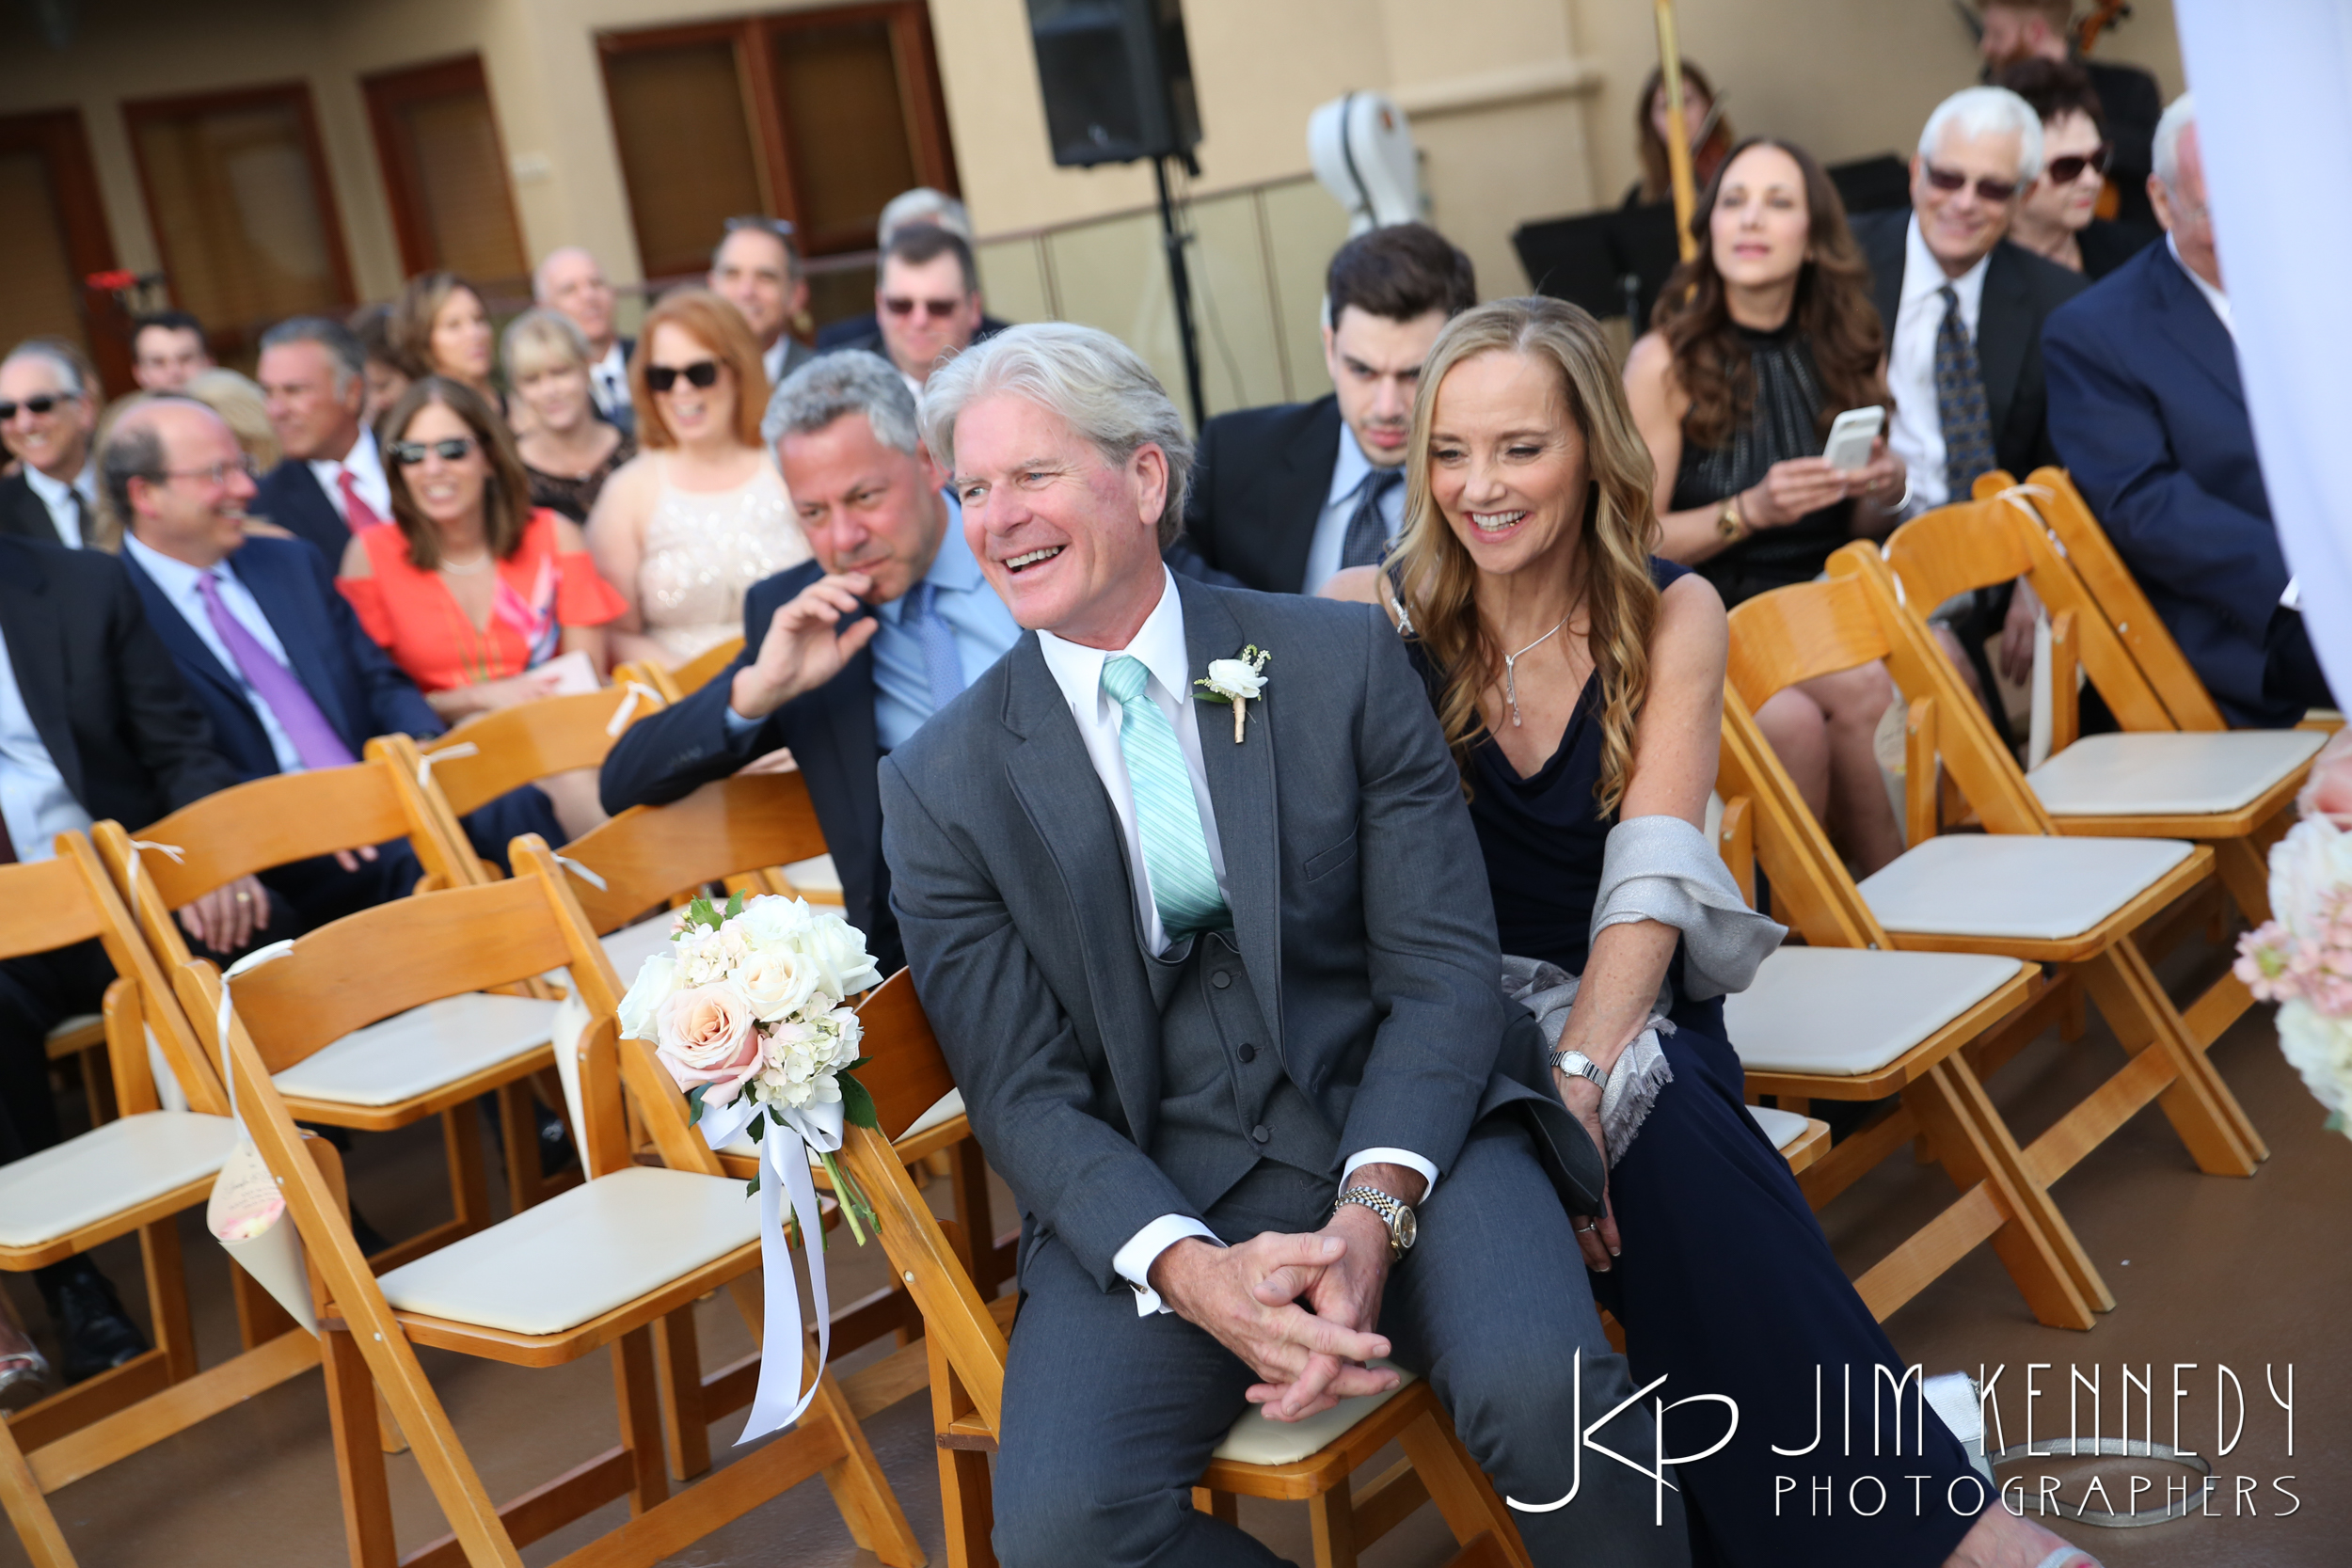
784,1153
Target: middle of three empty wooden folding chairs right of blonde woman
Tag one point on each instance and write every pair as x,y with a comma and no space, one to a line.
2012,892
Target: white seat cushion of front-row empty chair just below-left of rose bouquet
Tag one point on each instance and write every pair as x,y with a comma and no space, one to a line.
580,1254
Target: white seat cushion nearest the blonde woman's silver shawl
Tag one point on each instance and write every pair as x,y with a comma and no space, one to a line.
1847,1012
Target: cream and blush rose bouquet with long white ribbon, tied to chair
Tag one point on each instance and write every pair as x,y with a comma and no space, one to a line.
749,1014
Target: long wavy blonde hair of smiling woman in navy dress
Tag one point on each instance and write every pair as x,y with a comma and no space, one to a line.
1436,577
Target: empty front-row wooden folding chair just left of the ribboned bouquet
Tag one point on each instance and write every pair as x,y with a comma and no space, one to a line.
606,1264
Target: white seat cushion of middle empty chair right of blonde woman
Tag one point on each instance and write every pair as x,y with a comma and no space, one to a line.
2014,885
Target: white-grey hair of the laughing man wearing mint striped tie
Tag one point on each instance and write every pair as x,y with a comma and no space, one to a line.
1090,380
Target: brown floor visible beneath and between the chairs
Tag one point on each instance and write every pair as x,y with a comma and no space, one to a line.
2205,1271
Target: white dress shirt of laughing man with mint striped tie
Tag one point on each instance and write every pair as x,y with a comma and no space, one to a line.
1078,671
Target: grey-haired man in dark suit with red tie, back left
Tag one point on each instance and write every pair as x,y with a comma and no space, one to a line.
330,483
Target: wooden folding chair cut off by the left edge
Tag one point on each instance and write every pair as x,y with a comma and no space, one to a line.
133,1174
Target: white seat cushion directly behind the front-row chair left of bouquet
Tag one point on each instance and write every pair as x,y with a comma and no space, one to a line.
422,1050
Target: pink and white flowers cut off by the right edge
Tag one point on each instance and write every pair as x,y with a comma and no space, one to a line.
2304,956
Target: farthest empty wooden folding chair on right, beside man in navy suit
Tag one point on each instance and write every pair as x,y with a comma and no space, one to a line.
2151,782
